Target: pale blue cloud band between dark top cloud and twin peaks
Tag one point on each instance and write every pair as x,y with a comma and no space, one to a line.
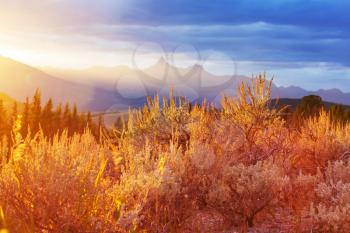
254,41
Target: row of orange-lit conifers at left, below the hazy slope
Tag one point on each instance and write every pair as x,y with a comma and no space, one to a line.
48,118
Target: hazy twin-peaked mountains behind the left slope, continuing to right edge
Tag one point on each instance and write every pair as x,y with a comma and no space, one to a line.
194,82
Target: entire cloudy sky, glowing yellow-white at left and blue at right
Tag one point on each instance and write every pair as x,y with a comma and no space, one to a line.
300,42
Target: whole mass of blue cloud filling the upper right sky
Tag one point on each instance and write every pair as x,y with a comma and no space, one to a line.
287,30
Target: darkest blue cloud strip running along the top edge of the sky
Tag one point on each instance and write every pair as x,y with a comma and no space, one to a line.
314,13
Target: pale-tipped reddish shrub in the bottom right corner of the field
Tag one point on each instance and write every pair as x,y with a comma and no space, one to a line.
330,210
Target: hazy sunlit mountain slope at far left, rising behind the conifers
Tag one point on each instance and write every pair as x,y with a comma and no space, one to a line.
20,81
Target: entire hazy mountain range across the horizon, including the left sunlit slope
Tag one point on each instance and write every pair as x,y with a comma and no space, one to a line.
108,88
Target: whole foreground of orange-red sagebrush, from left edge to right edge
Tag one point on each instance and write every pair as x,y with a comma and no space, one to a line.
177,167
